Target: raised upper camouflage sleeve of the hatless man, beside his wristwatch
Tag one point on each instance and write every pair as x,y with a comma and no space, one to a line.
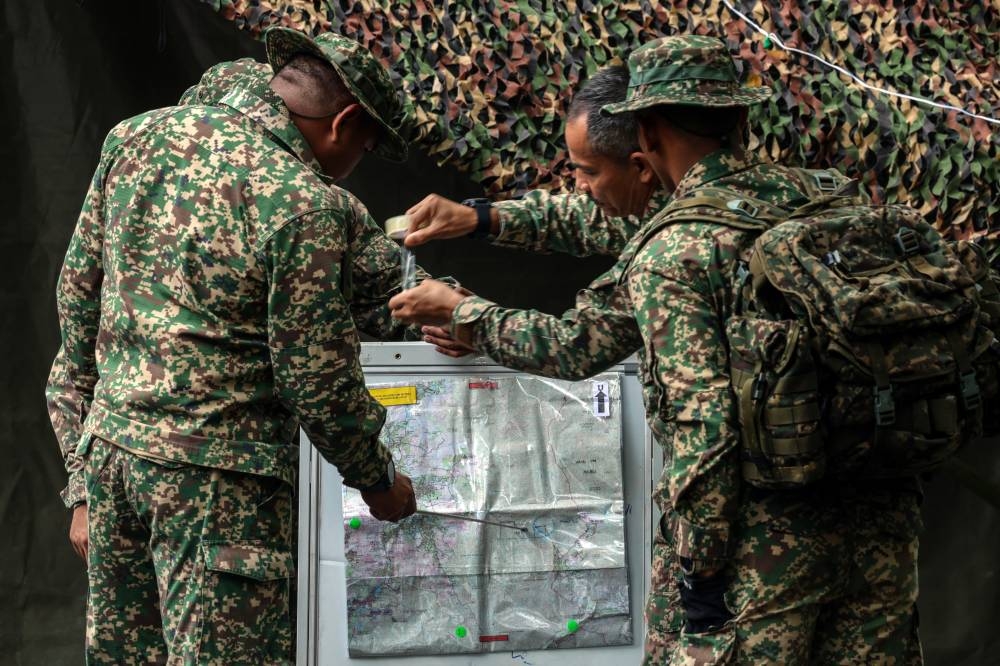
571,223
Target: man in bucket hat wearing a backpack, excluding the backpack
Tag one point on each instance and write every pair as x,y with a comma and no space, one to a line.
825,574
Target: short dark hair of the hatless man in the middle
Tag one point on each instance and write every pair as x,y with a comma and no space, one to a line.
614,136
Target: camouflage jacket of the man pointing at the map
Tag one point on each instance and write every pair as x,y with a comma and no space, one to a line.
202,299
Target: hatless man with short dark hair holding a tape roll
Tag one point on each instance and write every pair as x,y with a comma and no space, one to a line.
614,199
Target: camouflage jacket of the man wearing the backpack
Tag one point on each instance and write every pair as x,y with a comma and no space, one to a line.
681,288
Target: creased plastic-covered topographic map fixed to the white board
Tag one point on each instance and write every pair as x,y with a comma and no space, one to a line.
540,457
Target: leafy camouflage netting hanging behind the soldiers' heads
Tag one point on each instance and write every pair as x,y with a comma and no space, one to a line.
491,78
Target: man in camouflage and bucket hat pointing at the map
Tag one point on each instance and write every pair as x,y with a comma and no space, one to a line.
206,306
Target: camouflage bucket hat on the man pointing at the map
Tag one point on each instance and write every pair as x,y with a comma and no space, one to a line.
366,78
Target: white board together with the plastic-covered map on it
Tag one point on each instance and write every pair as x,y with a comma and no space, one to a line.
407,589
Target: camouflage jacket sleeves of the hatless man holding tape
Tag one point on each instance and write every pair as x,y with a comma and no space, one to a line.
599,332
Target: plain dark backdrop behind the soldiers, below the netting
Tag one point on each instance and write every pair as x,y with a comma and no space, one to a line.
69,71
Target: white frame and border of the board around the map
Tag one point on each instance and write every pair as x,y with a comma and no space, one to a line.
322,638
